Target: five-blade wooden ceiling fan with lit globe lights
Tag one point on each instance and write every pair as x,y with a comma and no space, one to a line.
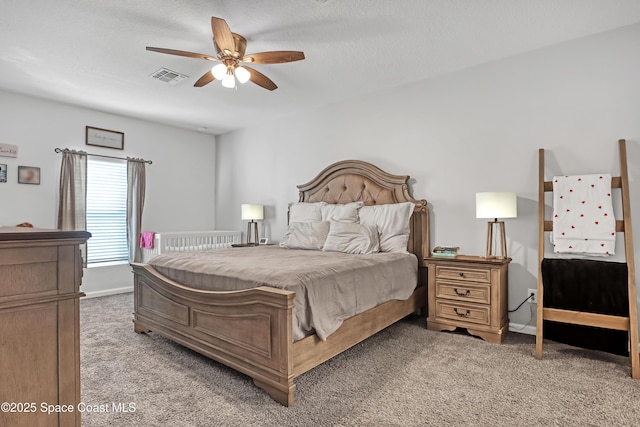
230,48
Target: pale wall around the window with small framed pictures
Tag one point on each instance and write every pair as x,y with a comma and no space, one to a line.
182,174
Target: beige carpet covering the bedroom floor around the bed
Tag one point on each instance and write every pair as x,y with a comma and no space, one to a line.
403,376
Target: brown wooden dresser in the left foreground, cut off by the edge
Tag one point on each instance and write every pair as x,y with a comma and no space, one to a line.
40,275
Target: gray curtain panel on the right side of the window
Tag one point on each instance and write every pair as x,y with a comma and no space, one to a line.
136,178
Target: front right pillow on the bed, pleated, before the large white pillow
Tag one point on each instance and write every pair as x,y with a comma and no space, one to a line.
352,238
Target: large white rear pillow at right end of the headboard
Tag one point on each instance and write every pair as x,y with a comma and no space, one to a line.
392,221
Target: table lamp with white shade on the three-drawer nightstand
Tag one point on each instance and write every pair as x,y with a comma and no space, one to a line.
496,205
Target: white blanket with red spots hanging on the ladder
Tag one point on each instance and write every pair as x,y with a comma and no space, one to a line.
583,219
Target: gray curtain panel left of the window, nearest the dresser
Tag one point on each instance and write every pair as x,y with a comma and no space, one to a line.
72,201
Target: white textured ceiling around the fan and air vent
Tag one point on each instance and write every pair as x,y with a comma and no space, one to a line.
91,53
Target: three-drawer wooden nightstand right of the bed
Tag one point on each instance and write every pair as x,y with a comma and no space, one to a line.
468,292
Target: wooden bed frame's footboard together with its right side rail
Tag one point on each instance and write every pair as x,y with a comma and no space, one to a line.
251,330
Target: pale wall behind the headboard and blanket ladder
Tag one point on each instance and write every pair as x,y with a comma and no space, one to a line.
476,130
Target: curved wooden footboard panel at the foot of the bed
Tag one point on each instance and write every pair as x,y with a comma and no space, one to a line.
249,330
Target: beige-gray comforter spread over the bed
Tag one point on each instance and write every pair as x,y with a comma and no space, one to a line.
330,286
